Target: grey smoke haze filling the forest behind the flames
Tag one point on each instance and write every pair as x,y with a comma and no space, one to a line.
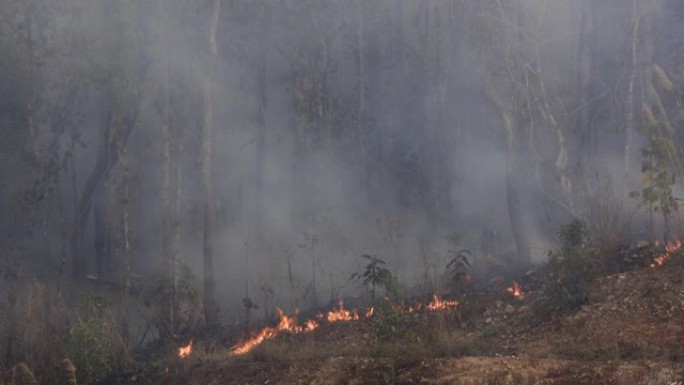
340,128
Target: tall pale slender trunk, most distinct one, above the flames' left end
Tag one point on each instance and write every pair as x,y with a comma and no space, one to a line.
210,305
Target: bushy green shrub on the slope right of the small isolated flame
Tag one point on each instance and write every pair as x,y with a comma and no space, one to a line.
570,268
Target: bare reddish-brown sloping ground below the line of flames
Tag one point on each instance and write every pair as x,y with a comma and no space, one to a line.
630,331
